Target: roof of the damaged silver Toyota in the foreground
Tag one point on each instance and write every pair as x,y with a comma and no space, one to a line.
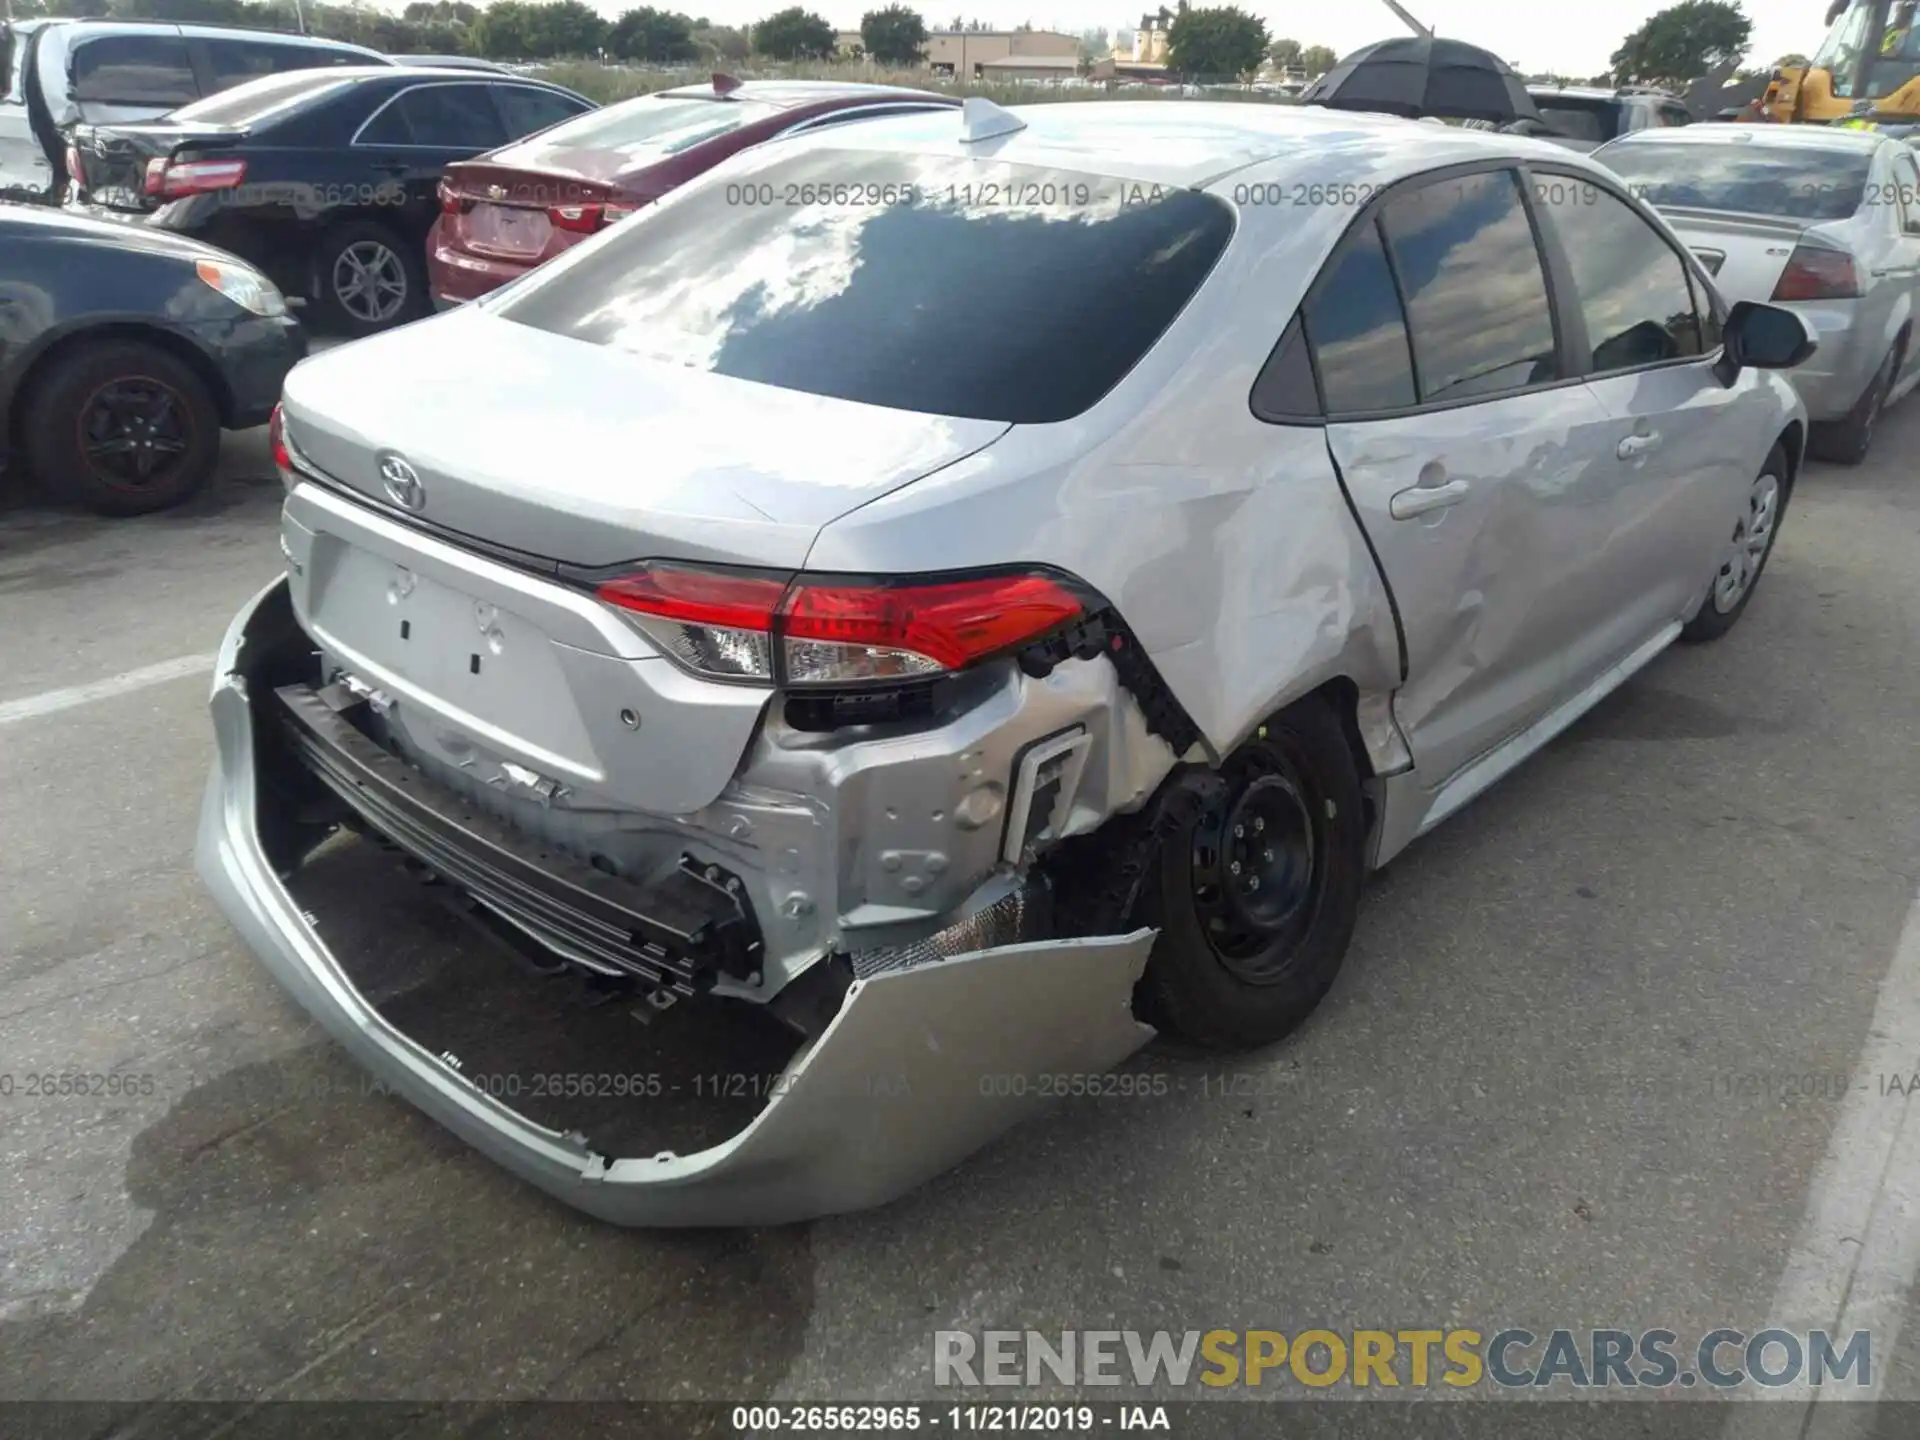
1195,143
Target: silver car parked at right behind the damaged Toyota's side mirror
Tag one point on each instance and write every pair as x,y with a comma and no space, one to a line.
1817,220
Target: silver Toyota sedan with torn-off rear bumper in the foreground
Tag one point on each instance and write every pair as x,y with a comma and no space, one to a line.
974,590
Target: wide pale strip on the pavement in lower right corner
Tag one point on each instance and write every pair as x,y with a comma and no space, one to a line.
1860,1243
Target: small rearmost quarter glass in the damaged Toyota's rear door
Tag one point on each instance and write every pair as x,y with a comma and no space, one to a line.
1358,331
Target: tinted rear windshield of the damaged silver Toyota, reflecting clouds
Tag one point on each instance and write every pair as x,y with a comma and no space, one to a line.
923,283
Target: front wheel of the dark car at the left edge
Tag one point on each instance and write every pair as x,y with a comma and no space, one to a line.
103,412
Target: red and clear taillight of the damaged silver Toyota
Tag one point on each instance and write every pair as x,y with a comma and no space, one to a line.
830,631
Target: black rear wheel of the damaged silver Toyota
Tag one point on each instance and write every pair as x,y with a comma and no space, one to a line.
1222,976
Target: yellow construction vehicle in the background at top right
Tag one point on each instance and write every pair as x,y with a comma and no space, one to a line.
1867,72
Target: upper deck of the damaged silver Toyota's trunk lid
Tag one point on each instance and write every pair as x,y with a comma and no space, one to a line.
590,456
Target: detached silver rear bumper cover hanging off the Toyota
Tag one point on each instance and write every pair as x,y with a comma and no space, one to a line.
919,1068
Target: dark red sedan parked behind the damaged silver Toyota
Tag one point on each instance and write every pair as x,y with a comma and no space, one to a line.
506,212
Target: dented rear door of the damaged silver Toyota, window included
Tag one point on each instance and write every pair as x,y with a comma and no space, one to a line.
1470,458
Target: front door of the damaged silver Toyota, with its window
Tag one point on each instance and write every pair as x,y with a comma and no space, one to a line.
1673,458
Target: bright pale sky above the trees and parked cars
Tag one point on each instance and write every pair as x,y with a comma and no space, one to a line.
1564,37
